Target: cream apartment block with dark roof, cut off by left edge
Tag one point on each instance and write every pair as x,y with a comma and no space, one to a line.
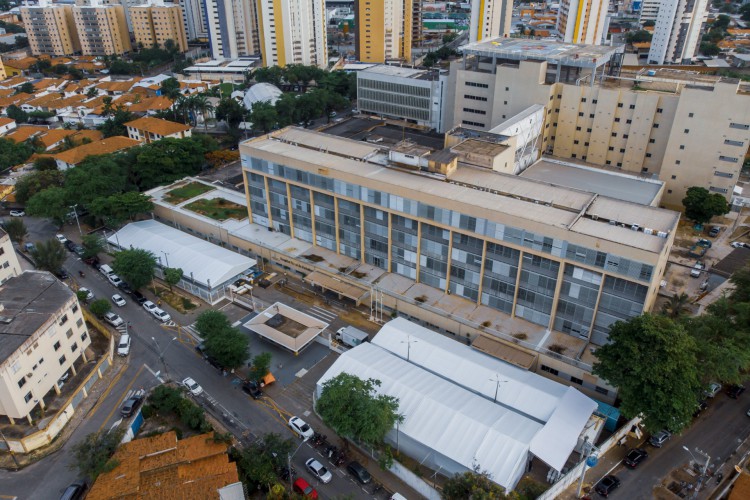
43,337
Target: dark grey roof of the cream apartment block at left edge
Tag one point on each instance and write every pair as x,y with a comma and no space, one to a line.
28,301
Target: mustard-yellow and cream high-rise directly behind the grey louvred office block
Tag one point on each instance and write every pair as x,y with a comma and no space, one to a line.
383,30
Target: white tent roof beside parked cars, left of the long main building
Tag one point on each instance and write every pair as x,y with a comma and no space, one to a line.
204,260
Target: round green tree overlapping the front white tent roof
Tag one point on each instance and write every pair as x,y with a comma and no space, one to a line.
352,407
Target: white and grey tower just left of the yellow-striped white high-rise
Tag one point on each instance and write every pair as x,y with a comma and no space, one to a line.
232,28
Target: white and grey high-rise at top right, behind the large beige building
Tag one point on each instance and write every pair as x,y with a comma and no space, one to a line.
678,31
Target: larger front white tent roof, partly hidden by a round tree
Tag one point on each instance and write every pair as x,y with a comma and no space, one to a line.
453,421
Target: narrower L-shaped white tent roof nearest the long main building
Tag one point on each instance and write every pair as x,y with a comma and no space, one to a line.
563,410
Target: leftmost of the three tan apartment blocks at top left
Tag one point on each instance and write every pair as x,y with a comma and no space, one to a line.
51,29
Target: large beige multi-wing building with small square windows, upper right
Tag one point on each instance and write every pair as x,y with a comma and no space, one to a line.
647,127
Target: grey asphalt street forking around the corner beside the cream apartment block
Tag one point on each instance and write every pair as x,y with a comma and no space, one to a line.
48,478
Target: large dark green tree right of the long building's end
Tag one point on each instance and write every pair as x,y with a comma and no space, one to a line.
652,360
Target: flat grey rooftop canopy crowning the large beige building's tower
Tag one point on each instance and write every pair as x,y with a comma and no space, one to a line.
567,54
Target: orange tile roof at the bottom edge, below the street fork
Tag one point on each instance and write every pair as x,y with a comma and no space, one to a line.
161,467
